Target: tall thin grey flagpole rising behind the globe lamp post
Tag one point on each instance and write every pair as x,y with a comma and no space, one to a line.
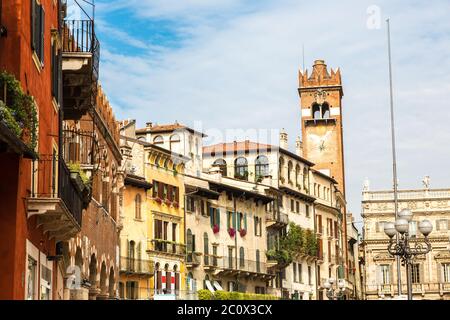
394,157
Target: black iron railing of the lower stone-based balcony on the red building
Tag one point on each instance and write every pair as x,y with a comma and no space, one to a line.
52,180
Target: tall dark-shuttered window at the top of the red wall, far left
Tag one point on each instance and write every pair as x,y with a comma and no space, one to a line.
37,29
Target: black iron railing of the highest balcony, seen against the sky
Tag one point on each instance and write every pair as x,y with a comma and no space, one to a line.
79,37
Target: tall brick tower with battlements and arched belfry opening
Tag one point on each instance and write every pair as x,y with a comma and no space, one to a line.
321,95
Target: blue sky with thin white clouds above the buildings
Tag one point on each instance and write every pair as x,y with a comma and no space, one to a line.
234,64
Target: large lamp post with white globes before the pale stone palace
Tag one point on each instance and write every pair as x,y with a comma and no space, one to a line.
403,247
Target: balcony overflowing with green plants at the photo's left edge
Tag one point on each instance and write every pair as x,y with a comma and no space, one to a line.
18,118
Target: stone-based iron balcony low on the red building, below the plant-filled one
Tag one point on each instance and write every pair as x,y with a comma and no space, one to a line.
56,198
